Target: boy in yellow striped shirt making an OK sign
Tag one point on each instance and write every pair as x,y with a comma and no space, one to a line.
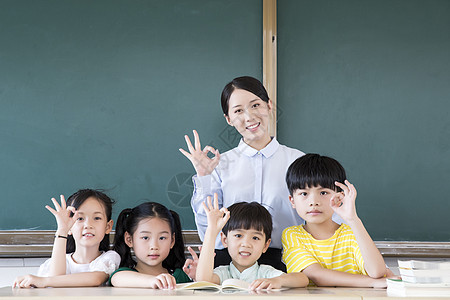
328,253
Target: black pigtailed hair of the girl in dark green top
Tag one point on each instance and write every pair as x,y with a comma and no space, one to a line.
128,221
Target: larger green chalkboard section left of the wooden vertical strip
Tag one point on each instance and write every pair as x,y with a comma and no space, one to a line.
99,94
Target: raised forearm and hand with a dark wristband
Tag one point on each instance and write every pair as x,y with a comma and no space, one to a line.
65,222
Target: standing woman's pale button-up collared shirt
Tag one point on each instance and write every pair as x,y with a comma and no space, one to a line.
245,174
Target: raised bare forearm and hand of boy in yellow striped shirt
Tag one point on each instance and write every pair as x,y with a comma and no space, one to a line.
344,205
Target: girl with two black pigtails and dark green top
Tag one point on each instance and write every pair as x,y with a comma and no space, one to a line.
153,233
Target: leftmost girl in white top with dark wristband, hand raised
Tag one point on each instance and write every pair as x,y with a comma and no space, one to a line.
81,255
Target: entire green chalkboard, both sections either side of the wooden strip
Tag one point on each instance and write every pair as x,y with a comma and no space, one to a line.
100,94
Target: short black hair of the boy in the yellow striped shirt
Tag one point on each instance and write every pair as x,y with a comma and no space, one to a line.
313,170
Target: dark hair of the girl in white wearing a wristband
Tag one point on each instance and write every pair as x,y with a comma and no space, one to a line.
76,200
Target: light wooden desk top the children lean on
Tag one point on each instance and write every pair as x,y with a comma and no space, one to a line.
104,293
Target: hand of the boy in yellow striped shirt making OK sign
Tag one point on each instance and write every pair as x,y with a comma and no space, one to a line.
344,203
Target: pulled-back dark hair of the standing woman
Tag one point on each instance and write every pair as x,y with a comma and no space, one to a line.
247,83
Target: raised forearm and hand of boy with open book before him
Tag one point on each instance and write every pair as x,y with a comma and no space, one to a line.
217,218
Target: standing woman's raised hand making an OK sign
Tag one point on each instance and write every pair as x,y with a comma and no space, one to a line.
199,158
